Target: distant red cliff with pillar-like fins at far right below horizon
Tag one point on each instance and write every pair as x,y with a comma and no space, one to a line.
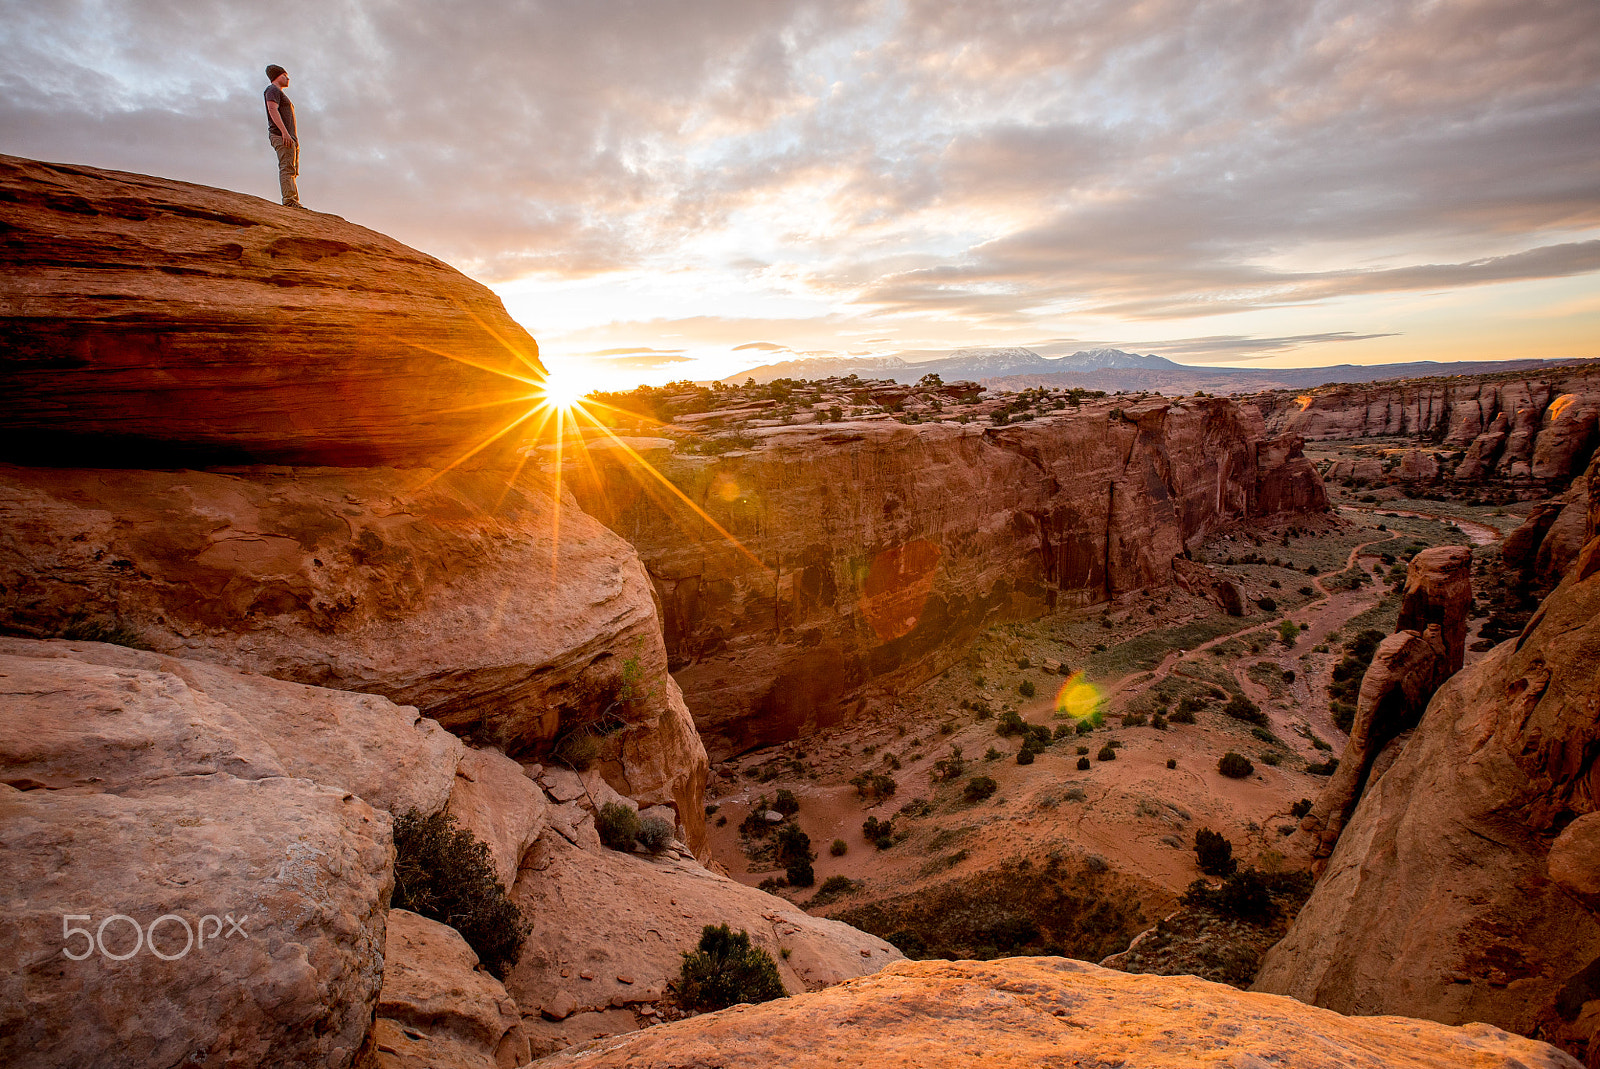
1508,426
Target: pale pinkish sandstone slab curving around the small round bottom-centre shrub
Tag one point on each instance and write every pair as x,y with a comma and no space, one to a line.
639,916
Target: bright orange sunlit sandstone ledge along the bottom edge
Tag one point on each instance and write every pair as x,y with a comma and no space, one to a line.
1052,1012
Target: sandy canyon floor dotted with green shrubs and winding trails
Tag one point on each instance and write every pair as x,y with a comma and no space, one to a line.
1070,860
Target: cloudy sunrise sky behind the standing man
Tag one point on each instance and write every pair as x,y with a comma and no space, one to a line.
687,188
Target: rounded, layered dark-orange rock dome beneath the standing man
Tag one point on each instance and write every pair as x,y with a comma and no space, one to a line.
148,322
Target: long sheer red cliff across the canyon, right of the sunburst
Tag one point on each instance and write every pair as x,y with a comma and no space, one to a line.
874,551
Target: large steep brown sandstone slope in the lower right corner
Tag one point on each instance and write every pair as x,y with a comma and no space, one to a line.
1438,899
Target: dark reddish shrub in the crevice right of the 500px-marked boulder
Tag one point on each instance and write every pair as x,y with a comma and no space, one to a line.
446,875
